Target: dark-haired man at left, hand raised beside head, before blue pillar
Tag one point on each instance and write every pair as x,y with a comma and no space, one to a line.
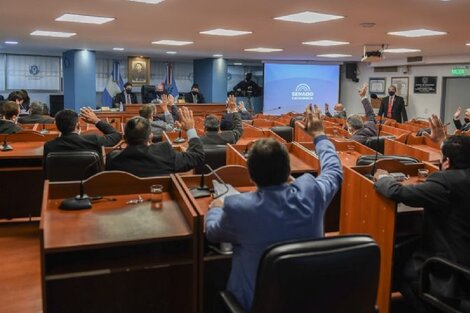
70,139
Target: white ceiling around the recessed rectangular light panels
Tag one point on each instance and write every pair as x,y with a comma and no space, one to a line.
138,24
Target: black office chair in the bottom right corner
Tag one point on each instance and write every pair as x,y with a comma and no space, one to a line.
453,293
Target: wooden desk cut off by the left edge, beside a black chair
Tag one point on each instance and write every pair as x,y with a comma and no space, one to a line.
22,177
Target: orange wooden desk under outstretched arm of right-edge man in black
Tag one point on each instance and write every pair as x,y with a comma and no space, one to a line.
364,211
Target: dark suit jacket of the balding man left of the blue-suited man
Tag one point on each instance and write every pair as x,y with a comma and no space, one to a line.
156,159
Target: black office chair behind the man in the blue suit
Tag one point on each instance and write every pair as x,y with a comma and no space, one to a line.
328,275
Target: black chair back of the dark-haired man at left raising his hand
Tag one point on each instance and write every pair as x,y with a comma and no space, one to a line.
72,165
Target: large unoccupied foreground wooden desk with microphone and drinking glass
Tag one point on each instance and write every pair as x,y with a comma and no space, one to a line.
117,257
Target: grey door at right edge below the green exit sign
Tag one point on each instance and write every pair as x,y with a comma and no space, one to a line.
455,94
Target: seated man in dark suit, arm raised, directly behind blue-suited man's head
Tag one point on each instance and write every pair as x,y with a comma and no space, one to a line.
212,126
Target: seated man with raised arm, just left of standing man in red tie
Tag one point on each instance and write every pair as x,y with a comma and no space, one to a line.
359,130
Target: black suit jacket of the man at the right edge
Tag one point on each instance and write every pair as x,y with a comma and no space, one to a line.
446,224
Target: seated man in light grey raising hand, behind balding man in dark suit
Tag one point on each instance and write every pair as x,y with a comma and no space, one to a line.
158,124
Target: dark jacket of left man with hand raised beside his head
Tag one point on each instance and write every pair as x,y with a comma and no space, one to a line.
76,142
